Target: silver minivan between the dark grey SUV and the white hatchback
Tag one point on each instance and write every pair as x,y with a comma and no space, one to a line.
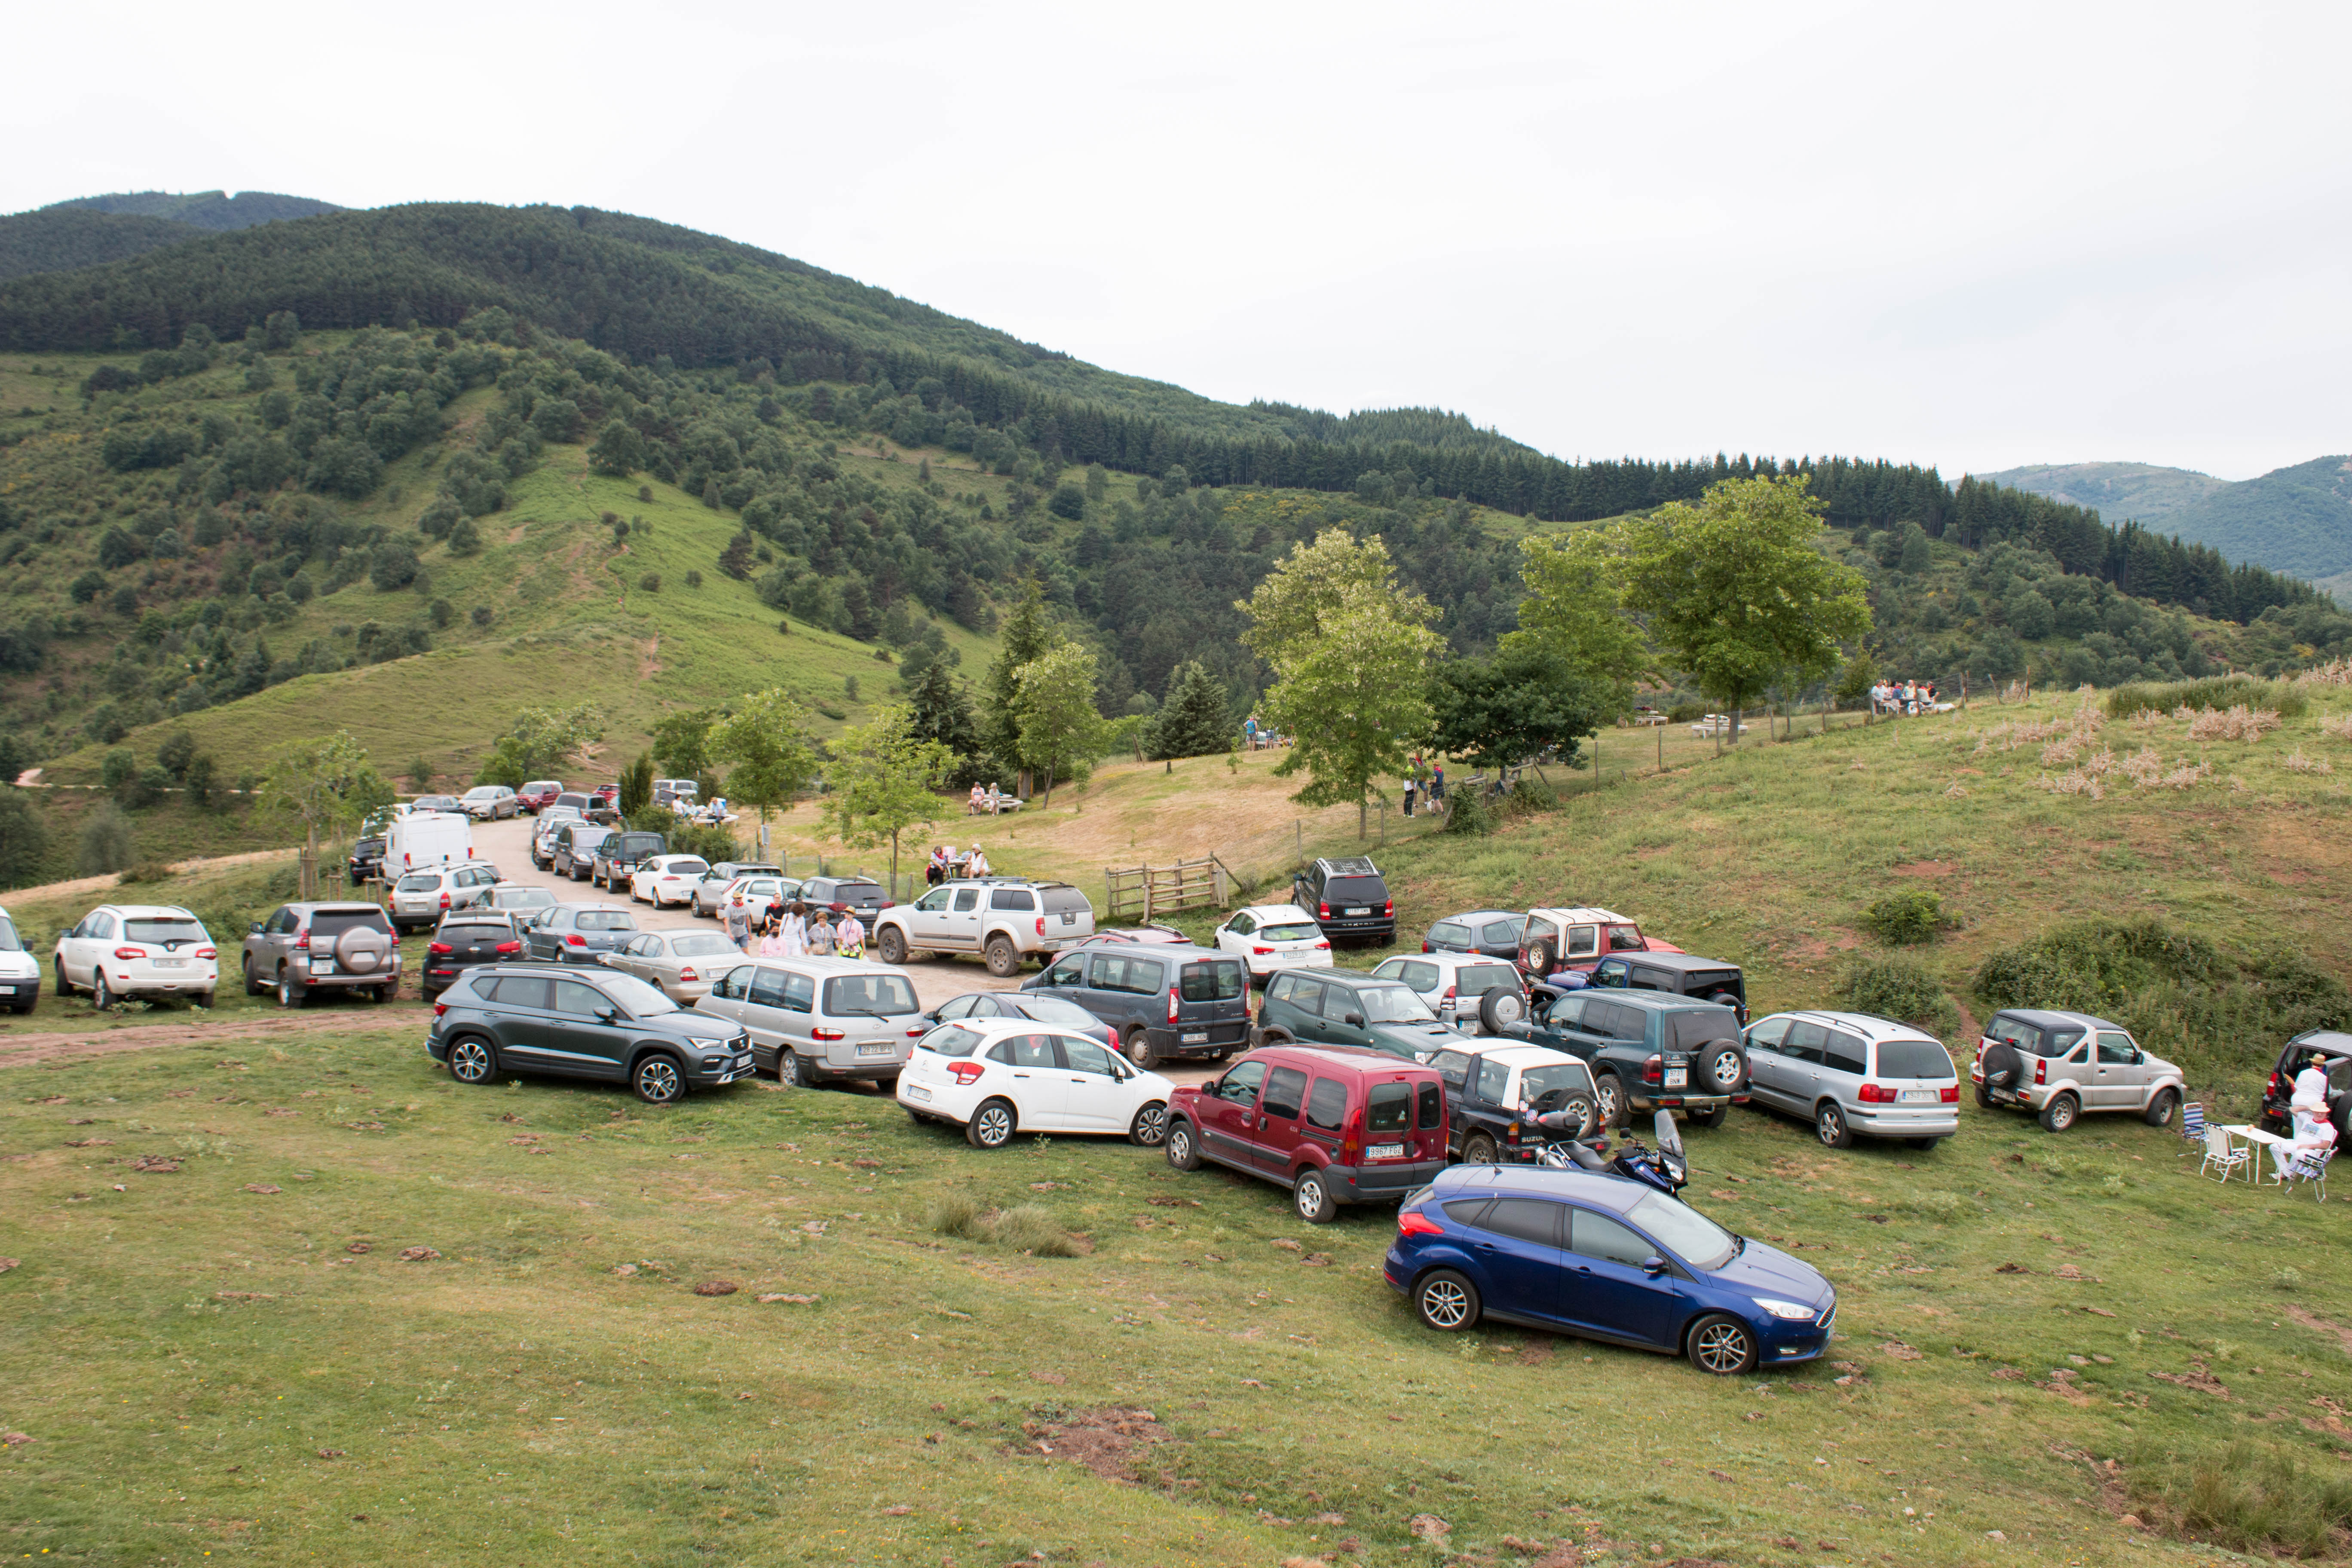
817,1021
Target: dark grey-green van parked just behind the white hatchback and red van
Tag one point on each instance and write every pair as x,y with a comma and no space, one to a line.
1163,1005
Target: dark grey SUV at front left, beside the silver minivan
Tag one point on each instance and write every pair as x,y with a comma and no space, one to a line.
582,1024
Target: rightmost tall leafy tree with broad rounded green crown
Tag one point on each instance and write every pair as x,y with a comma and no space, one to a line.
1739,591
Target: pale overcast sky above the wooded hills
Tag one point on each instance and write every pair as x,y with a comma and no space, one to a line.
1967,236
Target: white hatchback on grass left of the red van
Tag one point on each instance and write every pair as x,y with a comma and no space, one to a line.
998,1078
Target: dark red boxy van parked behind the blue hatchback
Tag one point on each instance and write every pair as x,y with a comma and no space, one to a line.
1335,1125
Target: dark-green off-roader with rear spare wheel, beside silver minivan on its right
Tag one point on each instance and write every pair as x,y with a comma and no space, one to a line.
1648,1050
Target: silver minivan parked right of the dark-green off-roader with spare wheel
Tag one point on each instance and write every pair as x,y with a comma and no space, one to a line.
1852,1078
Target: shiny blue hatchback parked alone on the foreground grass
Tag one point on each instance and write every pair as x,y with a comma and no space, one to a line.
1605,1259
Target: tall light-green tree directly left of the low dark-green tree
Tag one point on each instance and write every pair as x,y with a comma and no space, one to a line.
1351,659
